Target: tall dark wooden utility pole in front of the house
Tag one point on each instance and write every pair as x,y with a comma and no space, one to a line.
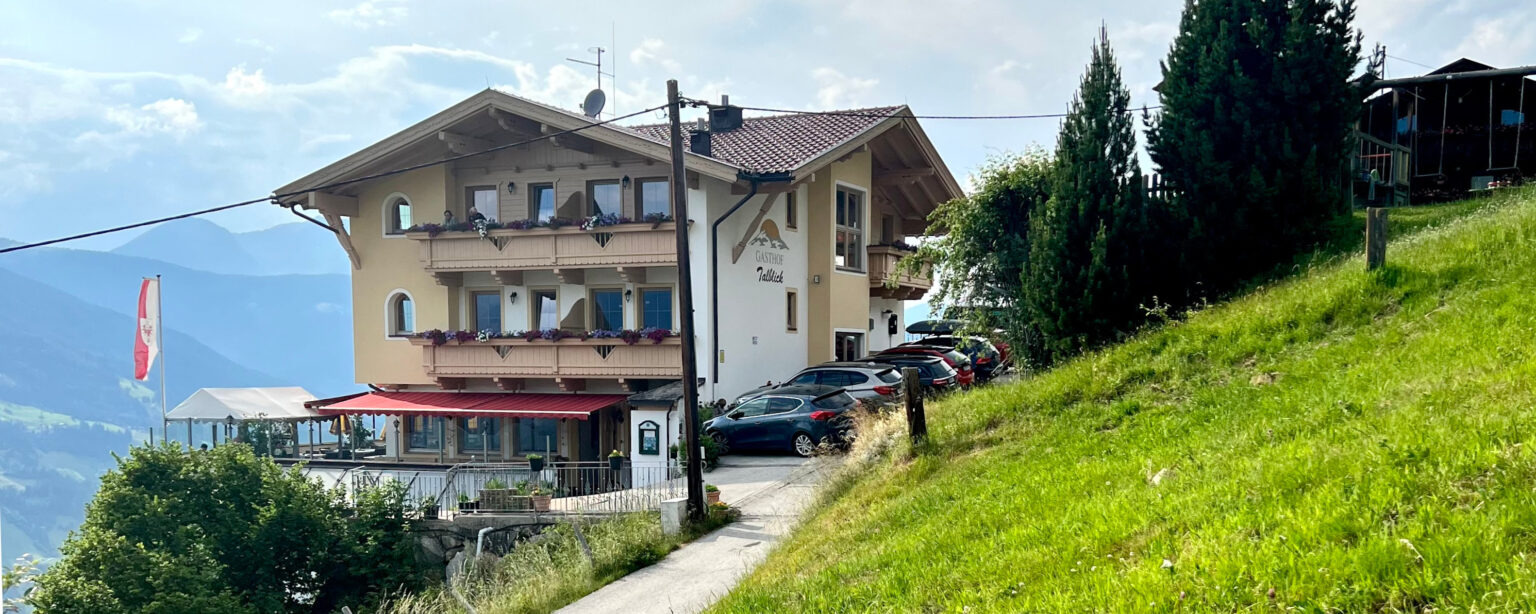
690,365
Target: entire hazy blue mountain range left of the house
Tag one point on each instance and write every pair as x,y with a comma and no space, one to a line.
256,309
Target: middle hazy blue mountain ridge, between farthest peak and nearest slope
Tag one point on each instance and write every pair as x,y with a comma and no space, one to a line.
296,328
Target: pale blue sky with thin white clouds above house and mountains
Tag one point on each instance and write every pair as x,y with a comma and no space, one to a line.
113,113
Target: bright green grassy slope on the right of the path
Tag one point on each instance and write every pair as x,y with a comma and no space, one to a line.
1343,441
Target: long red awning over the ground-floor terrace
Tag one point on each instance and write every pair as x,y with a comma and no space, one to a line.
474,404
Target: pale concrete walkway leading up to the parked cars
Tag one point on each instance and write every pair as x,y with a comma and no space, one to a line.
772,494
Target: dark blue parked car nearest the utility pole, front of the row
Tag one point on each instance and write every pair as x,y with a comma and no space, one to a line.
795,418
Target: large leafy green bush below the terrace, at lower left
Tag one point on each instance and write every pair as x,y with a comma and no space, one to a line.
227,532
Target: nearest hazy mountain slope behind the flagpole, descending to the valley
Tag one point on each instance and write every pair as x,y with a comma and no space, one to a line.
68,401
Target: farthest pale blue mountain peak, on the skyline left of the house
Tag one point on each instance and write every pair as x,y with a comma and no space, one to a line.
199,245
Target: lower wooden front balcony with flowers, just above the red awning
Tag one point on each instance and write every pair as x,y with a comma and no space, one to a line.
568,361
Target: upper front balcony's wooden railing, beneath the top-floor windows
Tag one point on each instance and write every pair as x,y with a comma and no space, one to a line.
640,245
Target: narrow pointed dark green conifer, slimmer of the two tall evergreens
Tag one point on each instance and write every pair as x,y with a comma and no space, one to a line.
1085,282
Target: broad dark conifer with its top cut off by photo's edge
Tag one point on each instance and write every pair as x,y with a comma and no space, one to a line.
1254,133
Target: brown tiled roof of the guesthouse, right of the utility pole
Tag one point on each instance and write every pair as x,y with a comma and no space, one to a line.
780,144
